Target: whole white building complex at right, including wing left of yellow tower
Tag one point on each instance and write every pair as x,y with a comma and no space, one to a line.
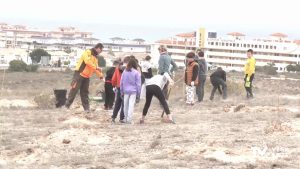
230,52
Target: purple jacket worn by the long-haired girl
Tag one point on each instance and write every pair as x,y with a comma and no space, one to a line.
130,82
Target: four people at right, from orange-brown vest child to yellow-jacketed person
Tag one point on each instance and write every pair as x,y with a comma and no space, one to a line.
196,72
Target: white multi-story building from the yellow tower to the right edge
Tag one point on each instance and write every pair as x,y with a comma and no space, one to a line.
230,52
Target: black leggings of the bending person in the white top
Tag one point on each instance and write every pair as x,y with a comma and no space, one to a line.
154,90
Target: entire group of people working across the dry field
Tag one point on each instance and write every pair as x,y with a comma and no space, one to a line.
128,81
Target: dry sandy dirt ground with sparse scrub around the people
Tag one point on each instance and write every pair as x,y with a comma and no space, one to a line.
262,133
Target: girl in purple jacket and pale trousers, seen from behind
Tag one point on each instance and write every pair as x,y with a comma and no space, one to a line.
130,88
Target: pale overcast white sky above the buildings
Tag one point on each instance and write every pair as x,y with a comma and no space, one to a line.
156,19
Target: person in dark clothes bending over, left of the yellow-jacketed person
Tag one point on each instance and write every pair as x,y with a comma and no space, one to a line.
218,78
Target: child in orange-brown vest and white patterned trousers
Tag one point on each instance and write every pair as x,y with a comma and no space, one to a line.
191,77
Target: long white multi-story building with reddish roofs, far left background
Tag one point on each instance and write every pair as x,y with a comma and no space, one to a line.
18,36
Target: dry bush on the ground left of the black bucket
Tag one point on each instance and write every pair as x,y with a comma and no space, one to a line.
45,101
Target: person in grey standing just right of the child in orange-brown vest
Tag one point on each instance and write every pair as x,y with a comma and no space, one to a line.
202,75
